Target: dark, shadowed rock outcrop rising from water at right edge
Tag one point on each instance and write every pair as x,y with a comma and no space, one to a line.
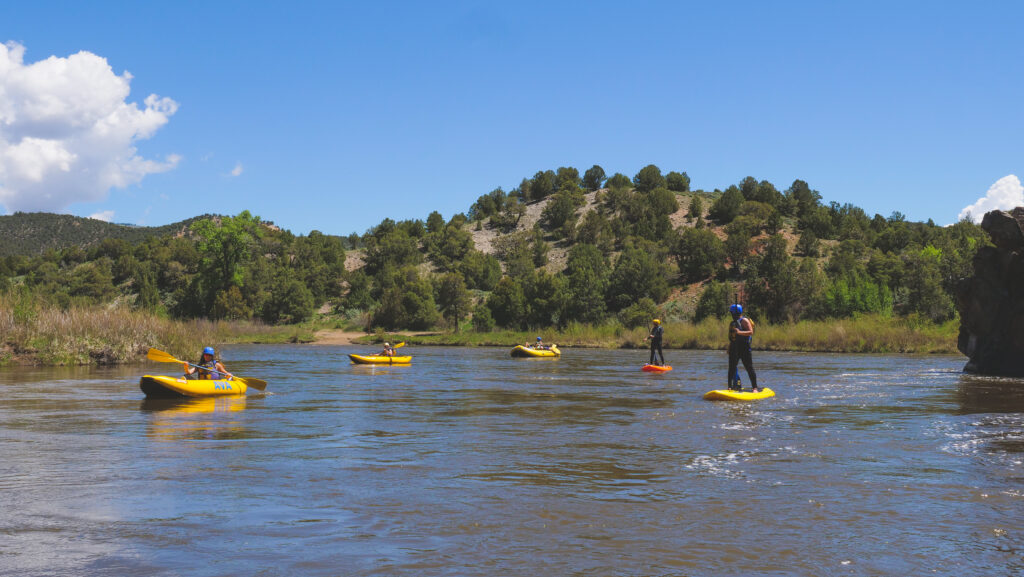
992,303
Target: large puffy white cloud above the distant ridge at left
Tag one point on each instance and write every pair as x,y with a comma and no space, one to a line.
67,133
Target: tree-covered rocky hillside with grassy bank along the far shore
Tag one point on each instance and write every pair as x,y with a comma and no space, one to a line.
590,259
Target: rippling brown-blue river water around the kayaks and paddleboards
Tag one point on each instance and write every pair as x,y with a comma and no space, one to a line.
471,463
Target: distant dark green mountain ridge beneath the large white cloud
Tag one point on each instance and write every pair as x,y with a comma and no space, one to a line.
30,234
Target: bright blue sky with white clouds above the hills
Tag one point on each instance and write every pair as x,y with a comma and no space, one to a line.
332,116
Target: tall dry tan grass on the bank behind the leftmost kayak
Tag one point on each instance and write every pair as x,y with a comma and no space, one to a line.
32,334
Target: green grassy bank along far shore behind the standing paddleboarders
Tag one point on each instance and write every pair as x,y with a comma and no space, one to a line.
865,335
